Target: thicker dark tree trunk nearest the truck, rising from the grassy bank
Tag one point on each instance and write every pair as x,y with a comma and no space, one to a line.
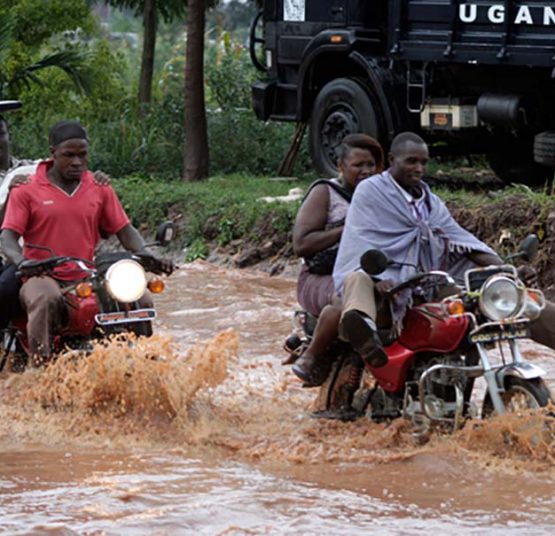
195,166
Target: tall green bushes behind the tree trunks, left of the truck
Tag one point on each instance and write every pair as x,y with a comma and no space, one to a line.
126,140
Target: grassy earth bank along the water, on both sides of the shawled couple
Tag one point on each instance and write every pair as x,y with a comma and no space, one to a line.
226,213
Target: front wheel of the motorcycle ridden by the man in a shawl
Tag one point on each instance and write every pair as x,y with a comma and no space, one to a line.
520,395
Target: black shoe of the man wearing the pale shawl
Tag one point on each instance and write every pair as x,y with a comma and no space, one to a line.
361,332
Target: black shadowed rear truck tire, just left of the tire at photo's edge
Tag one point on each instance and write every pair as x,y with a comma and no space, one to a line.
515,163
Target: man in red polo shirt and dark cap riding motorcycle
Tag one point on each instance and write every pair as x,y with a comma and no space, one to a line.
63,209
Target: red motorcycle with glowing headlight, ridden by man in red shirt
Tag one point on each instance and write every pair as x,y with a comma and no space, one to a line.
105,301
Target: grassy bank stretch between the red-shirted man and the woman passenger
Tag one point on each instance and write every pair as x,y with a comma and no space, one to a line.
213,212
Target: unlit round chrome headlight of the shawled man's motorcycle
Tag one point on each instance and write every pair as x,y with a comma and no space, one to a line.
501,298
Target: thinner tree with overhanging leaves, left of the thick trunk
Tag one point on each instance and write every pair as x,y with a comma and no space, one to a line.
150,10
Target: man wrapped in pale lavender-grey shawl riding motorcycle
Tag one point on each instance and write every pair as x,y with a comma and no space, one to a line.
396,212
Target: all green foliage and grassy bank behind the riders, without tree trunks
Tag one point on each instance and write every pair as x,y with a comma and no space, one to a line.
141,147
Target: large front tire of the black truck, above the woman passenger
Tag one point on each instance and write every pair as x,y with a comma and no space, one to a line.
342,107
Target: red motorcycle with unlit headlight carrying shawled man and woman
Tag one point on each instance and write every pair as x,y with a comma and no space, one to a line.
443,346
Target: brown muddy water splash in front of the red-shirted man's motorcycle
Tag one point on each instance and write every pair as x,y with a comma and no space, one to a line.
141,387
